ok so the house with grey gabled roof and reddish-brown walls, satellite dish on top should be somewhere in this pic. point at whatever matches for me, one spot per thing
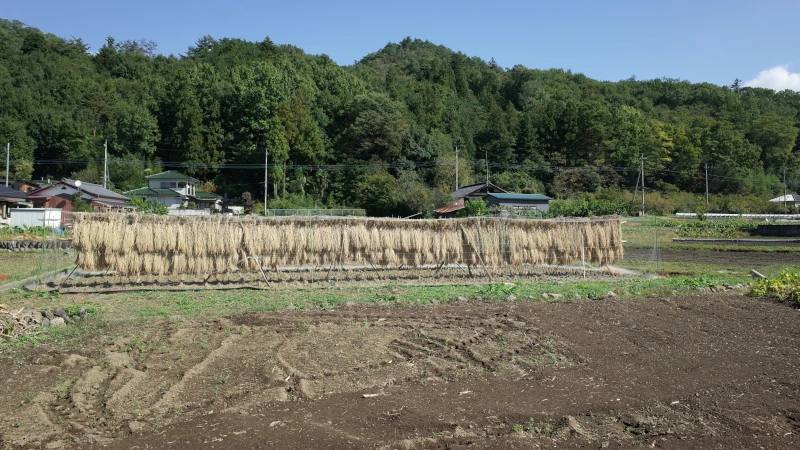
(60, 194)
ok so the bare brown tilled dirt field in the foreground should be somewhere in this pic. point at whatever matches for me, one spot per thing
(699, 371)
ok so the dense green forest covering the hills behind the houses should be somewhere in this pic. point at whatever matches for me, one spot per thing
(381, 133)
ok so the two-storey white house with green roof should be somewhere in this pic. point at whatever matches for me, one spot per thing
(175, 189)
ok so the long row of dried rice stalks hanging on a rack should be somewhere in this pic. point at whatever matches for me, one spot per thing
(204, 245)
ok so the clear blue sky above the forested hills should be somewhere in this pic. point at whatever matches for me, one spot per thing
(702, 40)
